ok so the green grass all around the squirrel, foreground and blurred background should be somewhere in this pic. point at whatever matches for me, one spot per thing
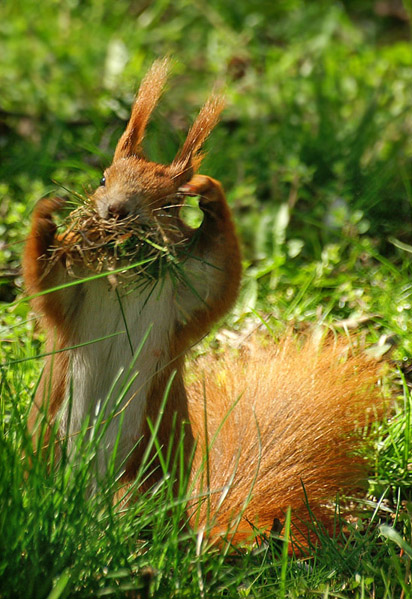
(314, 150)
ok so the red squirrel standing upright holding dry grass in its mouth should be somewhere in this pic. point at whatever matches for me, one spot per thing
(277, 416)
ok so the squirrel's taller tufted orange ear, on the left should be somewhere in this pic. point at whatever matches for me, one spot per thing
(149, 93)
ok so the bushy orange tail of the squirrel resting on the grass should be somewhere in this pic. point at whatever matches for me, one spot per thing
(281, 421)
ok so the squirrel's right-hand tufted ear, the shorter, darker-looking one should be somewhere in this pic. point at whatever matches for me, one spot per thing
(190, 154)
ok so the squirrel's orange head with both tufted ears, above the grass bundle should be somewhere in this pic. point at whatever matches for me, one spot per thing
(132, 185)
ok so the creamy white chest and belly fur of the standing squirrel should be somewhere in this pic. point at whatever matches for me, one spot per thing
(115, 373)
